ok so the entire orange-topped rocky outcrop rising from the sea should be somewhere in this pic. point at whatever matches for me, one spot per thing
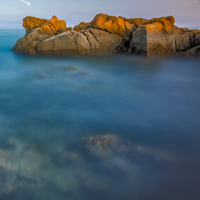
(106, 35)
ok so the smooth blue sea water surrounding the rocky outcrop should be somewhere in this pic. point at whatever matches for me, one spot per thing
(48, 104)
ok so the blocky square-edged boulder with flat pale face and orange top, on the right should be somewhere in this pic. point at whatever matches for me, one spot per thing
(154, 38)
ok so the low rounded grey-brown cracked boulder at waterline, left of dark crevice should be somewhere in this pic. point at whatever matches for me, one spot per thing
(91, 42)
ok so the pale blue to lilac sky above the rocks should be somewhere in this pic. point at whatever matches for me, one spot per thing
(12, 12)
